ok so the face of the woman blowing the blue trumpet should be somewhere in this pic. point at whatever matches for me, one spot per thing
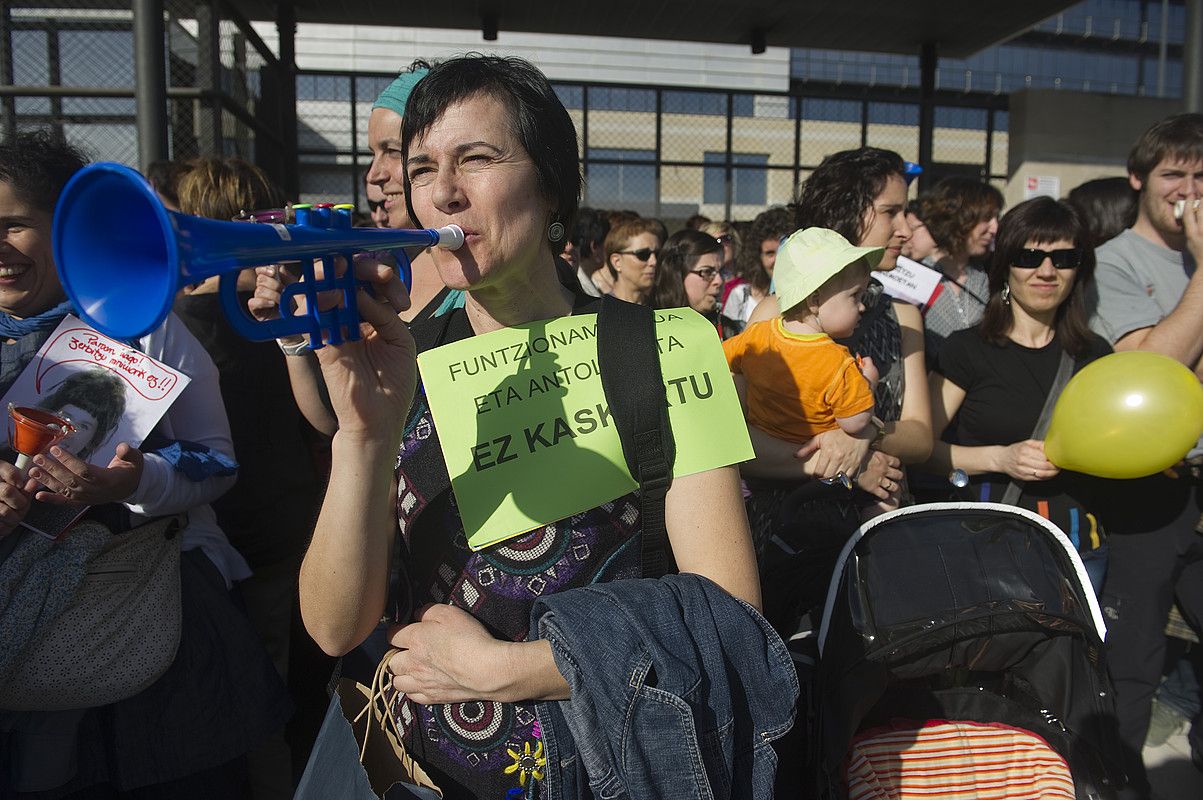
(470, 169)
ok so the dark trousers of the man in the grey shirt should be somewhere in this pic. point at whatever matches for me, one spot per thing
(1157, 556)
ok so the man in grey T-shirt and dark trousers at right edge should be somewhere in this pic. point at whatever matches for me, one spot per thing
(1151, 298)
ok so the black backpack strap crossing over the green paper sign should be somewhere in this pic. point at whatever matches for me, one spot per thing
(635, 388)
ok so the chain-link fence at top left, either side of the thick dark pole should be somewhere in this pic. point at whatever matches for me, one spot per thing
(72, 69)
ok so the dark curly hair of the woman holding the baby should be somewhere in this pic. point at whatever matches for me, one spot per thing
(843, 188)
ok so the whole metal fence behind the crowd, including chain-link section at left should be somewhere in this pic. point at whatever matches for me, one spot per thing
(661, 151)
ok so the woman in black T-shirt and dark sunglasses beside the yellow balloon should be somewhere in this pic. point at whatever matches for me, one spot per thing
(993, 381)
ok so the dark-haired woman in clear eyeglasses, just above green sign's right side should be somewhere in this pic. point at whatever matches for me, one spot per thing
(689, 275)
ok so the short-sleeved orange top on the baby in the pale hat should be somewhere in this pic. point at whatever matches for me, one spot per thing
(798, 384)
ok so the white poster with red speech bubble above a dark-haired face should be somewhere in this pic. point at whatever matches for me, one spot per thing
(108, 390)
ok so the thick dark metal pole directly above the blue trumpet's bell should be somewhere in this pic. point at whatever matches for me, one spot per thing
(150, 82)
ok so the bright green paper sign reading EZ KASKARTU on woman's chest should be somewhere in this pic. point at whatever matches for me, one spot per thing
(528, 434)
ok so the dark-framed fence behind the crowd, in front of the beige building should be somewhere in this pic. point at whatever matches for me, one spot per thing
(668, 152)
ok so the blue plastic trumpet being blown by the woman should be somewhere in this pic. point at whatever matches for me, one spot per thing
(122, 258)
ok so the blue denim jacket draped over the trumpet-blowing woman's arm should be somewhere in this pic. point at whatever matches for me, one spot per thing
(678, 690)
